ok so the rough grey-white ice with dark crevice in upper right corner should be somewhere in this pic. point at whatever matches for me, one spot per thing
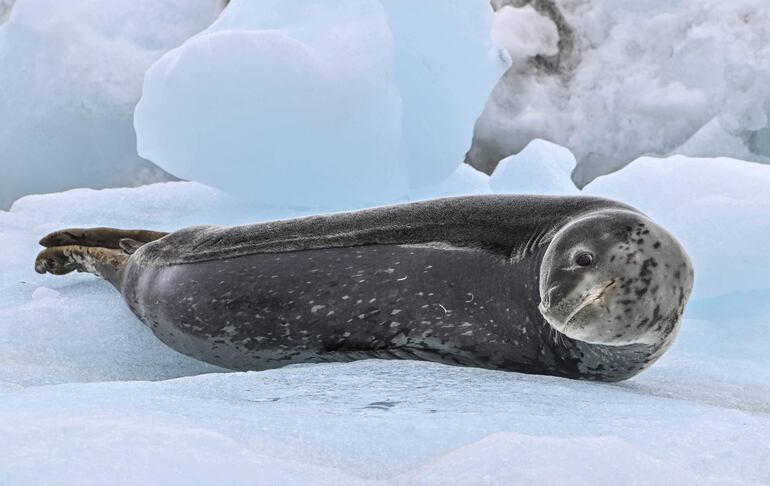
(631, 78)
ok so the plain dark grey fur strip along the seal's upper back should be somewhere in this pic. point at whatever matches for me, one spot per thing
(506, 226)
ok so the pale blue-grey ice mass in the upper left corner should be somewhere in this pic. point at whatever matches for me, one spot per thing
(72, 72)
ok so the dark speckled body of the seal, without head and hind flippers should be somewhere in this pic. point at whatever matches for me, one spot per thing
(454, 281)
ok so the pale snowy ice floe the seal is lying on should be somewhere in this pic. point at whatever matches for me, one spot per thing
(88, 395)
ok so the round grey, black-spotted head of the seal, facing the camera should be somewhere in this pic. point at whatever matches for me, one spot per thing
(616, 278)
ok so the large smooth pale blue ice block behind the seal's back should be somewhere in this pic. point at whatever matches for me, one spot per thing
(269, 98)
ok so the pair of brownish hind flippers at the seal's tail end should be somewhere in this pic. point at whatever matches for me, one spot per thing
(100, 251)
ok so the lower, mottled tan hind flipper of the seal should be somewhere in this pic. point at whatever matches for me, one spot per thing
(61, 260)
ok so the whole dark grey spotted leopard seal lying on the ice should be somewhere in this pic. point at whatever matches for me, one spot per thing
(575, 287)
